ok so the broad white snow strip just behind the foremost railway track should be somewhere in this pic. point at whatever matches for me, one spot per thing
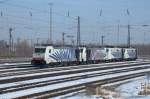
(66, 84)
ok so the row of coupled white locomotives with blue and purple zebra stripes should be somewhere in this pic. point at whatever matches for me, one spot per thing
(81, 55)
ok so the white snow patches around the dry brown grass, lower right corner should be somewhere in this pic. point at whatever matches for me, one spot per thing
(128, 89)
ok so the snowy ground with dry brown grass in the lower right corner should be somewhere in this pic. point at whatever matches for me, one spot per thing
(128, 89)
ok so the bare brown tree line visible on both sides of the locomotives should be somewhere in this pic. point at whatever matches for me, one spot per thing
(24, 48)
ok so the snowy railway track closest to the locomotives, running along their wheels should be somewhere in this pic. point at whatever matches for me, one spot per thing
(33, 70)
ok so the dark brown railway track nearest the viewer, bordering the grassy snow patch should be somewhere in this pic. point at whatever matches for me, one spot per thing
(71, 89)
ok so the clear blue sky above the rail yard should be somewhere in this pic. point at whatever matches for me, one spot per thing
(30, 19)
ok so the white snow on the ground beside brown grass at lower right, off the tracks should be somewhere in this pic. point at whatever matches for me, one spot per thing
(128, 90)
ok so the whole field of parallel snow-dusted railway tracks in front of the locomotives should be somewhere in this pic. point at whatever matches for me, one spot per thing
(27, 81)
